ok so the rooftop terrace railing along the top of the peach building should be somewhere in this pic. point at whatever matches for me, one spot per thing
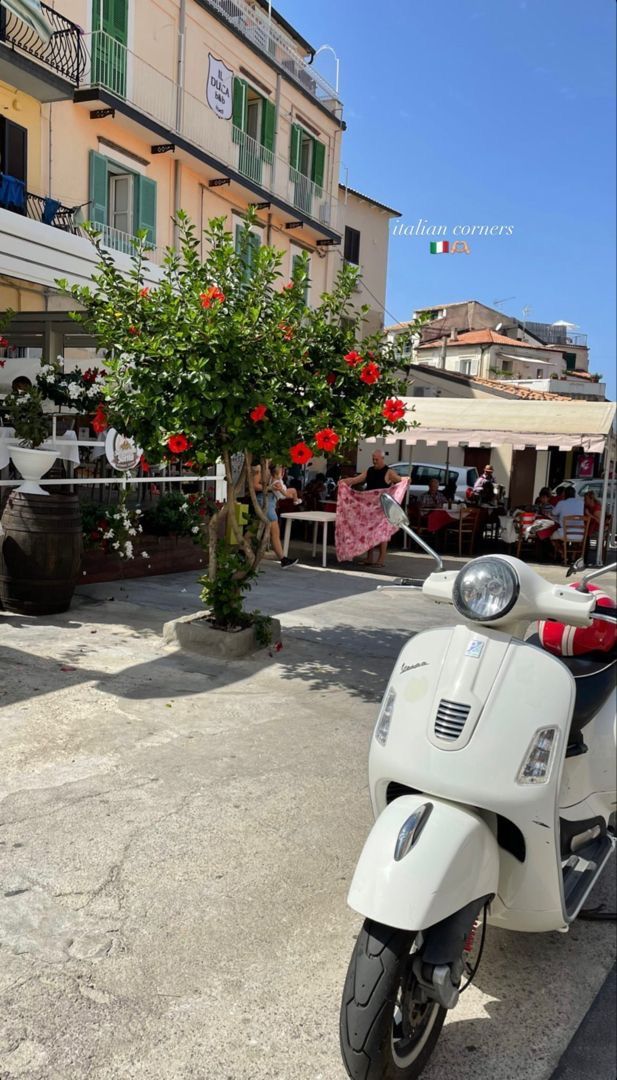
(265, 34)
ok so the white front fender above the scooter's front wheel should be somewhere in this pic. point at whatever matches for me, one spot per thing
(453, 861)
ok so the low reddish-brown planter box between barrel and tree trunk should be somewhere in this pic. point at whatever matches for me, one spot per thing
(166, 556)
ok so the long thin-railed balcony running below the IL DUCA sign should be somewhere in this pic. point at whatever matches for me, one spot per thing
(131, 79)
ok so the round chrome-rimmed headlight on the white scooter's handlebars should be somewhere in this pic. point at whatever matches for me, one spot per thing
(486, 590)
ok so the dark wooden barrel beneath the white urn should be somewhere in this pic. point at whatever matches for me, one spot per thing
(41, 552)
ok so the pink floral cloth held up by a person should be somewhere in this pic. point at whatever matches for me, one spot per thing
(361, 524)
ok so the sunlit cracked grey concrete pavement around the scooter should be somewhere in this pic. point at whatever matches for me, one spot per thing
(178, 838)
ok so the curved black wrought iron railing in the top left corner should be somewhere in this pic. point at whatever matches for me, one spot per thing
(64, 53)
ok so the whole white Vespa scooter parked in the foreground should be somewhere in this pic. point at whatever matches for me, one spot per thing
(492, 803)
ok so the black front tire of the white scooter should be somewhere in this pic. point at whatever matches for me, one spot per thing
(381, 1037)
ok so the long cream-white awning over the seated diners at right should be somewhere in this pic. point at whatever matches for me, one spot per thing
(468, 422)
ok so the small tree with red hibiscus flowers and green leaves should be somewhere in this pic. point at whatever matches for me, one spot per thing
(220, 362)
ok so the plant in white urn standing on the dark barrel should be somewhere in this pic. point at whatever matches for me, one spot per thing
(25, 412)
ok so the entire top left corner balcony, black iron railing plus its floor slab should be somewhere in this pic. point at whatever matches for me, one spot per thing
(46, 71)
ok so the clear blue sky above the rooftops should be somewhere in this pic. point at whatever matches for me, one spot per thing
(486, 113)
